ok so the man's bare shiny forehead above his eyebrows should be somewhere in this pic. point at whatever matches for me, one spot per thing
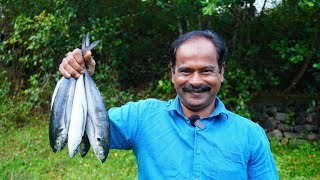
(196, 50)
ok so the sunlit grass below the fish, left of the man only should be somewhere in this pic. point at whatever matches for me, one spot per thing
(25, 153)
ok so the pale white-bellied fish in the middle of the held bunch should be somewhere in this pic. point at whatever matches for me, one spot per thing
(78, 118)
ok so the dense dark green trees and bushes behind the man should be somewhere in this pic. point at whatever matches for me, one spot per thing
(131, 58)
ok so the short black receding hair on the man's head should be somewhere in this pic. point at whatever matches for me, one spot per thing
(213, 37)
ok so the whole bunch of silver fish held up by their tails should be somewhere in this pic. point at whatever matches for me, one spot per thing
(78, 115)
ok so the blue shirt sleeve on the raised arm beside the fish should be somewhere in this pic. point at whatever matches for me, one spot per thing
(124, 122)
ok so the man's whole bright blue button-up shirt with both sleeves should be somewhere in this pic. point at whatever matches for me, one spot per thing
(166, 146)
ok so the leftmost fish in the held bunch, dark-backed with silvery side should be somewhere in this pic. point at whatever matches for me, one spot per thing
(59, 117)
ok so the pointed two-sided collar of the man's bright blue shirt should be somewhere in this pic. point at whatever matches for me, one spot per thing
(220, 108)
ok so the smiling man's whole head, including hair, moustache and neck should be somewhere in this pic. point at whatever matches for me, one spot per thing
(197, 66)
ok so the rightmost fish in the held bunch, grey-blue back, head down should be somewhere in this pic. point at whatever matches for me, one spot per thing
(97, 125)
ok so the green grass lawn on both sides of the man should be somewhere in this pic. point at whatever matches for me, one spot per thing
(25, 154)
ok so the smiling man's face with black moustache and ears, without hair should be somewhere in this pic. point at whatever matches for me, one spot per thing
(196, 76)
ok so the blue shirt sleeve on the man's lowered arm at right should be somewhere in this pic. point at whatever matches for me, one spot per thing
(261, 164)
